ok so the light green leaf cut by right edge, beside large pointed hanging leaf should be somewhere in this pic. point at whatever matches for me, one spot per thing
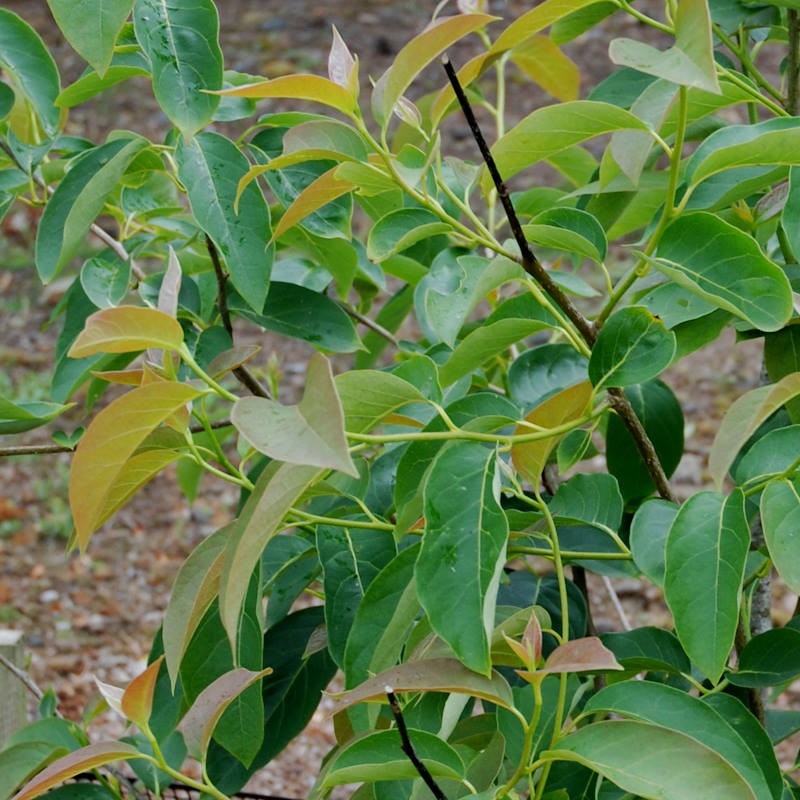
(780, 512)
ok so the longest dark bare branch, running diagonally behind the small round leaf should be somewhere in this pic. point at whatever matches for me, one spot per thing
(536, 270)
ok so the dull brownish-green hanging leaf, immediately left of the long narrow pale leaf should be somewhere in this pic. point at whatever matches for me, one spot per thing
(193, 591)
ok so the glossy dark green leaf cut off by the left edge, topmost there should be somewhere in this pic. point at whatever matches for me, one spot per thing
(27, 59)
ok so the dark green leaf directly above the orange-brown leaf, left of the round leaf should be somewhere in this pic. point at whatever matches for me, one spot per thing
(543, 371)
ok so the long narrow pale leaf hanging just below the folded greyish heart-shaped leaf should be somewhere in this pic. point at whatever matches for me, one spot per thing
(277, 489)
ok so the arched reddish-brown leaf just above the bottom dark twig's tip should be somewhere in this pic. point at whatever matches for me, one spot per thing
(431, 675)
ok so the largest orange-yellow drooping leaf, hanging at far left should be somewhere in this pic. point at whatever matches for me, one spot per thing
(109, 442)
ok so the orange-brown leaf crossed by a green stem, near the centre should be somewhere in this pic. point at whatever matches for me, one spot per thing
(559, 410)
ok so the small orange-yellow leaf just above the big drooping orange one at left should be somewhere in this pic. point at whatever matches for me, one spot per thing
(126, 329)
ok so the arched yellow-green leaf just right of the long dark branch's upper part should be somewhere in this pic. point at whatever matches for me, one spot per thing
(550, 130)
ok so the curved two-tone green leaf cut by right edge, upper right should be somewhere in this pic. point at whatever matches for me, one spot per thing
(774, 141)
